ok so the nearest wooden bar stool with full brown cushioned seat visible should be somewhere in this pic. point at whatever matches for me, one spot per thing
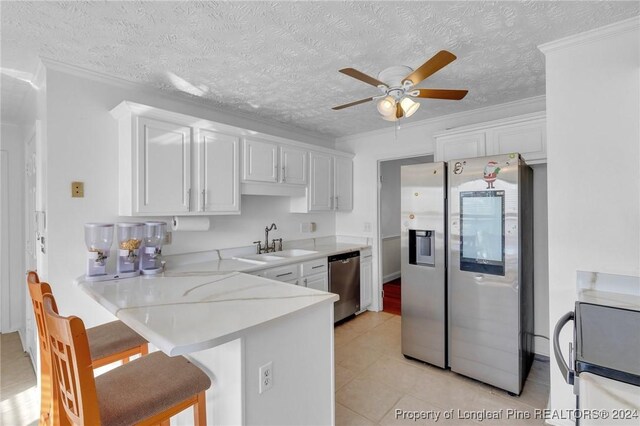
(146, 391)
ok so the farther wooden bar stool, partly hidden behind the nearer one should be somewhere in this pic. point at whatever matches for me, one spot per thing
(108, 343)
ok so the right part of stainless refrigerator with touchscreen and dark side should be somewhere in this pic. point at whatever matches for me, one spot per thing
(490, 273)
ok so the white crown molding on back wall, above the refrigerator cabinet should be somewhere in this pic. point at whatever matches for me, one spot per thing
(535, 101)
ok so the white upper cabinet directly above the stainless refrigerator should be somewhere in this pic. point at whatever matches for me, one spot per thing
(524, 134)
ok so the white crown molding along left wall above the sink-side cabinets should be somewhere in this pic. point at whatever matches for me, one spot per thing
(287, 130)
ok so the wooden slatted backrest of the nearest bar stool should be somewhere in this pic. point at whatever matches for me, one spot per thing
(74, 384)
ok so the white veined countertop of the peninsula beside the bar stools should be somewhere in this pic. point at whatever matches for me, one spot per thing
(187, 311)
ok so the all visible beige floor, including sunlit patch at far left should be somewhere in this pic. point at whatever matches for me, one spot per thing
(373, 380)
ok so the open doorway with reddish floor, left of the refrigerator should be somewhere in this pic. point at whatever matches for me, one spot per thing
(389, 229)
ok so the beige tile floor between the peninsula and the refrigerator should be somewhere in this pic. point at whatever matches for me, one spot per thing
(374, 379)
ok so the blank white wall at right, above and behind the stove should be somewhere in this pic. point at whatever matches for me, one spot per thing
(593, 120)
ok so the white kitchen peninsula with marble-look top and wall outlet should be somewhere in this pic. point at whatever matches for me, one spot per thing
(231, 325)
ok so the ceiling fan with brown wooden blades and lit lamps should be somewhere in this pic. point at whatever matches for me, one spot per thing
(397, 85)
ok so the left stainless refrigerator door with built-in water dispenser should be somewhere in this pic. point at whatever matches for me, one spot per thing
(423, 262)
